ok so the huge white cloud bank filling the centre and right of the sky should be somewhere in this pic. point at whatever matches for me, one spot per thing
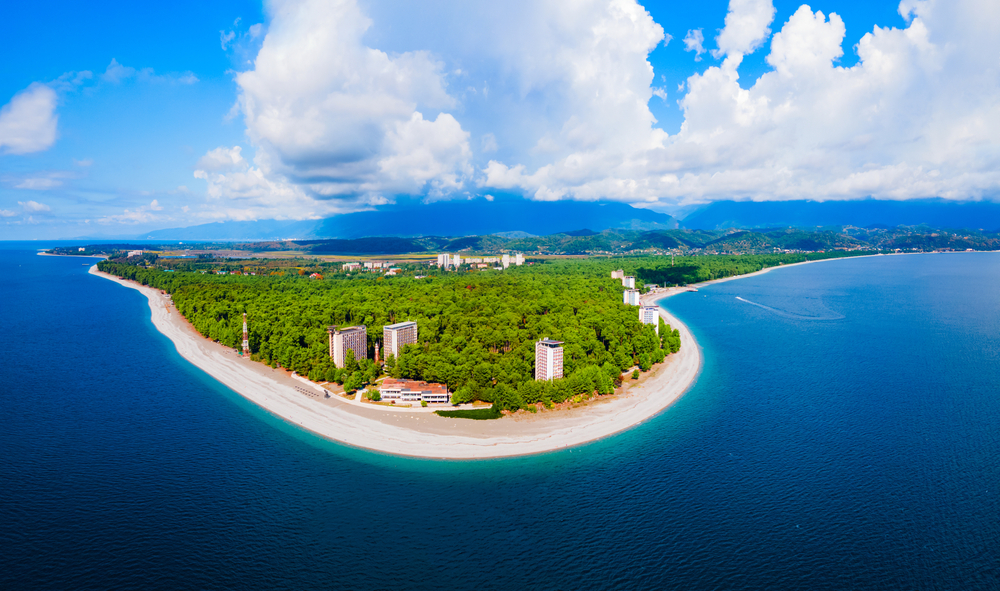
(551, 99)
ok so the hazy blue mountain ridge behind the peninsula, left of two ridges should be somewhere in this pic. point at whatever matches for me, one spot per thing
(443, 218)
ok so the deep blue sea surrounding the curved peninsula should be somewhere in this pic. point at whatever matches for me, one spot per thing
(844, 434)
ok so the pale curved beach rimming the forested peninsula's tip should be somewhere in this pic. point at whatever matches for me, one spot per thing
(423, 434)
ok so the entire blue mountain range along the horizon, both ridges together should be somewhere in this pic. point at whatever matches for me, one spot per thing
(518, 218)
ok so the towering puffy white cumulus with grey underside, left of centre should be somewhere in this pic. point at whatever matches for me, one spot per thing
(343, 120)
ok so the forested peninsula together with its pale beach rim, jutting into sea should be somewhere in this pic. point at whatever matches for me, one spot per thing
(625, 359)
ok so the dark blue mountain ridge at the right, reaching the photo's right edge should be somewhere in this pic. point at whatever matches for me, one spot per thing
(868, 213)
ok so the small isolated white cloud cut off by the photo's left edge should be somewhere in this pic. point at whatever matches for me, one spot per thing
(28, 122)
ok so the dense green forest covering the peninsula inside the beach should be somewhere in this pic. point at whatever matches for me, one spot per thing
(477, 330)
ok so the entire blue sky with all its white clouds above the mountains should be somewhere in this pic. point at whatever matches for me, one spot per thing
(116, 118)
